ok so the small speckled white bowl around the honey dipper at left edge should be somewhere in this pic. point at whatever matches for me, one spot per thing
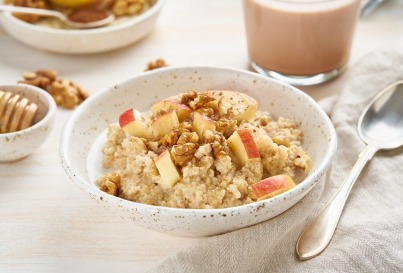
(17, 145)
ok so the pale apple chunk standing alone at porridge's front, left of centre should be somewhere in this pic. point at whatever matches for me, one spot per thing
(168, 172)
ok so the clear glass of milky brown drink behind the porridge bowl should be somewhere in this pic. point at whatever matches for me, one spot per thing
(301, 42)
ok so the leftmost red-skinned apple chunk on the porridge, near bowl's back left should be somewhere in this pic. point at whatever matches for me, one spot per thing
(135, 124)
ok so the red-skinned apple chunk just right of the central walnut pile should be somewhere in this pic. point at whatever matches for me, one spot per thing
(243, 145)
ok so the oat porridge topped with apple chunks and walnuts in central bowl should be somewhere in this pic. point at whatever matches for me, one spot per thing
(205, 150)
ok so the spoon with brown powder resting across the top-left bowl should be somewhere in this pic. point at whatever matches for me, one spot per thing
(59, 15)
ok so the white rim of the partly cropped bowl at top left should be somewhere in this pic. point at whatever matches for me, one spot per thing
(128, 23)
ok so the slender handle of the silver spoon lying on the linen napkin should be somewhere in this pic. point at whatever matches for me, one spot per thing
(317, 235)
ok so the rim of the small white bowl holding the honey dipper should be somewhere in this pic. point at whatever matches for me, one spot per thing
(48, 98)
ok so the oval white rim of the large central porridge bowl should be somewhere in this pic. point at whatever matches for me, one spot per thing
(91, 188)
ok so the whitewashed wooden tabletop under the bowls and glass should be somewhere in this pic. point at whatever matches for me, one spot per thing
(47, 224)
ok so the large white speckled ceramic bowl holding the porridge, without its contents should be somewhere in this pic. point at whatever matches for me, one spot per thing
(96, 113)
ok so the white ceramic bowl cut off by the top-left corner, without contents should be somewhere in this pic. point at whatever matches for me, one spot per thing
(82, 41)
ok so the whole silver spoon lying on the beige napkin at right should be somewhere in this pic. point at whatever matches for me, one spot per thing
(380, 127)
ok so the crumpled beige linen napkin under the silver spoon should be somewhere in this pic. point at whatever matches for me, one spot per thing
(369, 237)
